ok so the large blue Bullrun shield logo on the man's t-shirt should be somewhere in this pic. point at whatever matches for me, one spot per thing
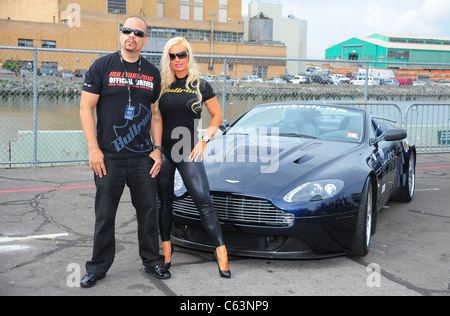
(127, 133)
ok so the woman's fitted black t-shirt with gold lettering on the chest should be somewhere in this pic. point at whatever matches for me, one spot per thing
(180, 122)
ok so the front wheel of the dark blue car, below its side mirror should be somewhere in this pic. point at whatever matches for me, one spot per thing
(364, 223)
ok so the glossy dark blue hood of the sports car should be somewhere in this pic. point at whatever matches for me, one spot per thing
(260, 167)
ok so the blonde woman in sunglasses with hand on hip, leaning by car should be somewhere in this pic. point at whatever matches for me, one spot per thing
(182, 94)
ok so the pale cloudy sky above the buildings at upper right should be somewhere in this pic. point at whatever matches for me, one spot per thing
(331, 22)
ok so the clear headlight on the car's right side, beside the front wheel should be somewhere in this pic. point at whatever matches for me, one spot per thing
(314, 191)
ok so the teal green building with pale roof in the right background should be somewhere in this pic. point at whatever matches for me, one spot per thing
(391, 48)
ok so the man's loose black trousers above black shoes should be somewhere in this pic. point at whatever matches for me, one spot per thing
(135, 173)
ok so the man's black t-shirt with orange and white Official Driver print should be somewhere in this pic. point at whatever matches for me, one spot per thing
(122, 133)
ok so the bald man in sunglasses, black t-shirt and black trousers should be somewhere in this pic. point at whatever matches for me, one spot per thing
(123, 88)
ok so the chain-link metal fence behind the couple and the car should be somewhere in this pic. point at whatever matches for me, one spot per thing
(39, 103)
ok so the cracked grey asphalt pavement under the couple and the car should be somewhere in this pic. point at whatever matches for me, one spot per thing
(47, 221)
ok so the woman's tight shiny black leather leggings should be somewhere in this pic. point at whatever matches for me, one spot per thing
(196, 182)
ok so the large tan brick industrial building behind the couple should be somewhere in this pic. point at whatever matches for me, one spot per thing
(95, 25)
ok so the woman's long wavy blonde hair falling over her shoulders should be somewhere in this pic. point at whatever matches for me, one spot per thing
(168, 75)
